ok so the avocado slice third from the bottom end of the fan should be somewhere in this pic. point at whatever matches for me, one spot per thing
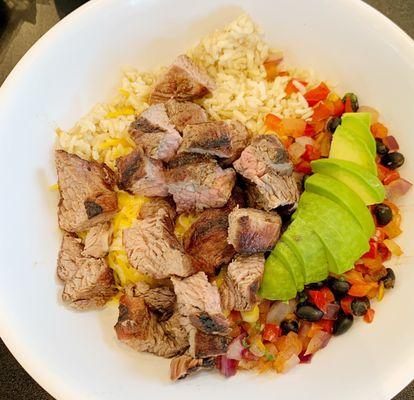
(308, 249)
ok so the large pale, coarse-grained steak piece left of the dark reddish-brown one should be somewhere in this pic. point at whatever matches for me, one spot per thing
(153, 249)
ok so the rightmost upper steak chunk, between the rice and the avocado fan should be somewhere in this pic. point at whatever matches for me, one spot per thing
(268, 172)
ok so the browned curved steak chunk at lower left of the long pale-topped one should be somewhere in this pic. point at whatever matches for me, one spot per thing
(141, 329)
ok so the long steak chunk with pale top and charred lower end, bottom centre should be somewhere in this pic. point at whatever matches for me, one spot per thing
(198, 302)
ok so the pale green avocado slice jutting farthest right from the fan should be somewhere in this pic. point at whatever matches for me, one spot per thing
(362, 182)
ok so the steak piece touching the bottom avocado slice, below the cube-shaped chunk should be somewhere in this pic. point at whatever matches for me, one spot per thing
(241, 283)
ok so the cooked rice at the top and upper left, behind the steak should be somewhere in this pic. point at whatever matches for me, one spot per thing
(234, 56)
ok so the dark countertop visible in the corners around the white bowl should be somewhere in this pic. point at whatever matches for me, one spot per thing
(22, 22)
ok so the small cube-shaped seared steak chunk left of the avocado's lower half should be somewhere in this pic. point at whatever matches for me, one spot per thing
(253, 231)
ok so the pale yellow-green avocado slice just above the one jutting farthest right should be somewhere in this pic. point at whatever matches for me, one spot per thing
(346, 146)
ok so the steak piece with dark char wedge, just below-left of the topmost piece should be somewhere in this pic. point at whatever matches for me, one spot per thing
(154, 132)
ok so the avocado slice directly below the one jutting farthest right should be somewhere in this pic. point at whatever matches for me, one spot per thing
(341, 194)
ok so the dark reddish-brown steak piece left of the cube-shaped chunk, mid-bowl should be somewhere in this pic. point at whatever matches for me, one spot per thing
(206, 241)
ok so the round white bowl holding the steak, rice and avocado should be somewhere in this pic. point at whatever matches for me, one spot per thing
(78, 63)
